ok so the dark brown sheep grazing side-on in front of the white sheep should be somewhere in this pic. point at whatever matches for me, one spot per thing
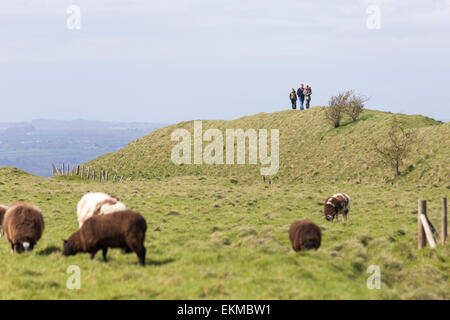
(123, 230)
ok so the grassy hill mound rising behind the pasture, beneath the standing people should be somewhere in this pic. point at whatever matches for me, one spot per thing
(310, 151)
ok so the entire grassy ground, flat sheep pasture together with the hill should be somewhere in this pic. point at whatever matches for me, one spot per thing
(210, 238)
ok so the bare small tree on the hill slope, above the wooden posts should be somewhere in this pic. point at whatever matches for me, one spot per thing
(395, 147)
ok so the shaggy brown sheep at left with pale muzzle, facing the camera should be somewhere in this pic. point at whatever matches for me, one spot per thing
(24, 225)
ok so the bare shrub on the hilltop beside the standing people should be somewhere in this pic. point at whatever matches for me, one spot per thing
(344, 103)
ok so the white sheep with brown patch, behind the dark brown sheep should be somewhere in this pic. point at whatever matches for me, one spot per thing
(97, 203)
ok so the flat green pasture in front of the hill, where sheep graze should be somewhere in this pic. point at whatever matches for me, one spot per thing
(209, 238)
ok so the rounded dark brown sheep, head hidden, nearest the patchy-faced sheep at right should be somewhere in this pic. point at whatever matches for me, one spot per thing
(305, 235)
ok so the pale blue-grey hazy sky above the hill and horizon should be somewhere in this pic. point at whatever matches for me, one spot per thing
(171, 61)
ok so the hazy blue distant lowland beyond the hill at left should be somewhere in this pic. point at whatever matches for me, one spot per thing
(34, 146)
